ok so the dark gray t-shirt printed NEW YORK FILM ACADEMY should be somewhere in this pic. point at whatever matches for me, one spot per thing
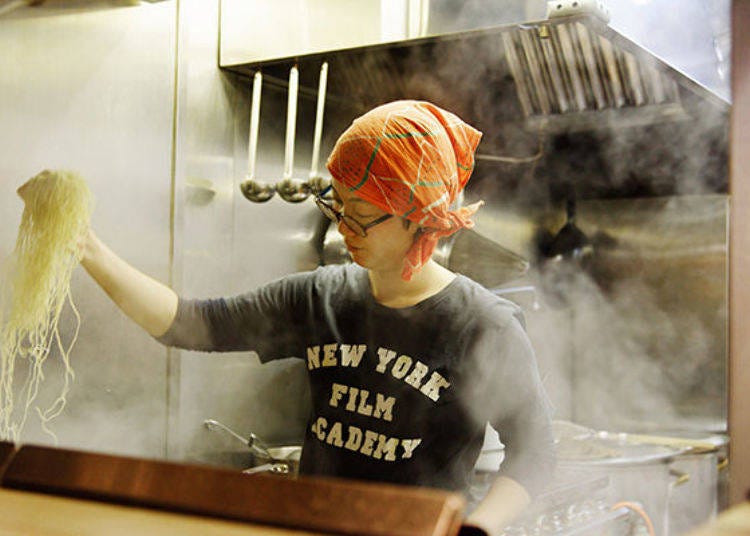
(398, 395)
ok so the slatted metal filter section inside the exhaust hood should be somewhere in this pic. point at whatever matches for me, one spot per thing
(578, 66)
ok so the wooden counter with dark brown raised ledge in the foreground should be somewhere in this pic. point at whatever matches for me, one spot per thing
(95, 483)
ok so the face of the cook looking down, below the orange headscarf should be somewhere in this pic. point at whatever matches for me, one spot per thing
(386, 244)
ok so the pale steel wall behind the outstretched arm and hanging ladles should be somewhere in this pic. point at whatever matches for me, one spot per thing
(132, 98)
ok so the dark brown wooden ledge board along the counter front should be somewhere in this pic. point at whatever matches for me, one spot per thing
(317, 504)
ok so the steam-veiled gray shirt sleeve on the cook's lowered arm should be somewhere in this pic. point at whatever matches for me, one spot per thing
(511, 396)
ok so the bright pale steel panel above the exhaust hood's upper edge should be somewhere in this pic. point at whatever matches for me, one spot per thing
(257, 30)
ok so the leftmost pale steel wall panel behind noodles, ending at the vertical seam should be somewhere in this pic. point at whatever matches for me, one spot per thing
(92, 90)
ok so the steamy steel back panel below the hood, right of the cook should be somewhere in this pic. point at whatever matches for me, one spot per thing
(637, 341)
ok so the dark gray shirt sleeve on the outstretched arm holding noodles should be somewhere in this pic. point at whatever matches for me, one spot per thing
(266, 320)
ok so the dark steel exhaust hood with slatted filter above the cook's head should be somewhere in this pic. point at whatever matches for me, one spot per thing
(568, 106)
